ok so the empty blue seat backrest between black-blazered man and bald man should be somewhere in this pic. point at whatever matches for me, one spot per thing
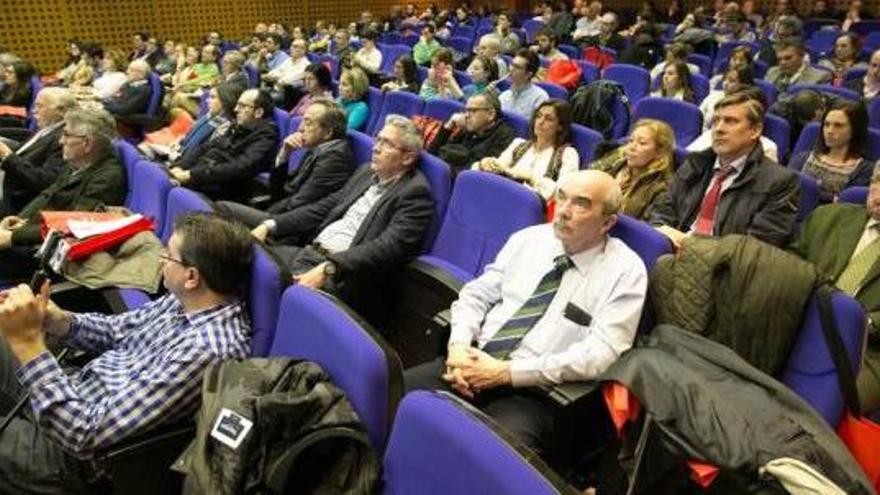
(484, 211)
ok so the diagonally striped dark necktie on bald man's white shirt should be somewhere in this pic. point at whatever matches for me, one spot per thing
(511, 333)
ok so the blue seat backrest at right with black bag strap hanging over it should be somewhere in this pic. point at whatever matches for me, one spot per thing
(810, 370)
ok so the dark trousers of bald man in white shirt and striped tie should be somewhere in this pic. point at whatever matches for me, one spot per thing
(522, 412)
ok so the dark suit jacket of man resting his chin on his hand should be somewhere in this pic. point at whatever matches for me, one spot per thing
(322, 171)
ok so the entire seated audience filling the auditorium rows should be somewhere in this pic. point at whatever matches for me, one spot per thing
(559, 303)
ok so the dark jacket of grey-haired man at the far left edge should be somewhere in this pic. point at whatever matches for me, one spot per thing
(31, 171)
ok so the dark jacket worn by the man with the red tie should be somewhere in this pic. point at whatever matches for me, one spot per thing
(761, 202)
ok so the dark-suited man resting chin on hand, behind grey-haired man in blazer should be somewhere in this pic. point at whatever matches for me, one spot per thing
(326, 166)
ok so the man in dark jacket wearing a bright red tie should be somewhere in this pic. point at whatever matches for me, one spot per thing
(731, 188)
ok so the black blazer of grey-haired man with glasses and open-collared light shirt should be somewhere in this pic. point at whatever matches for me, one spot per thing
(391, 234)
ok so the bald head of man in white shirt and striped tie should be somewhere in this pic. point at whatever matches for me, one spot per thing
(587, 203)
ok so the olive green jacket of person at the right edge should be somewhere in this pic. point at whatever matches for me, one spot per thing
(828, 238)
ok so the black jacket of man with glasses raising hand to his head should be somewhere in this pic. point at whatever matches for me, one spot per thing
(463, 149)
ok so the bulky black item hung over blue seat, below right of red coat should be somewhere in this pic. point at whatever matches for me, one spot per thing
(593, 106)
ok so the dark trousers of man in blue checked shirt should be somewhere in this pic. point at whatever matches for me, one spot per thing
(30, 462)
